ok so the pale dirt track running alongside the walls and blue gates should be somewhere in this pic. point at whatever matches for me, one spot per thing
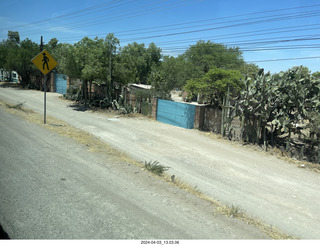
(264, 187)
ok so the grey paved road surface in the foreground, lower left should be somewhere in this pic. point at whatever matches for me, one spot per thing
(54, 188)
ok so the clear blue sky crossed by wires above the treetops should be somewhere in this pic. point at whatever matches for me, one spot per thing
(287, 31)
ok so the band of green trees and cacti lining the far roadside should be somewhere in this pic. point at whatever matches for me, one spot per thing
(275, 110)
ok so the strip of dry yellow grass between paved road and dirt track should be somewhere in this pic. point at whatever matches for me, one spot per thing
(94, 144)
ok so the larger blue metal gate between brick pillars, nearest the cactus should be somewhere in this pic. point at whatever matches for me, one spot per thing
(175, 113)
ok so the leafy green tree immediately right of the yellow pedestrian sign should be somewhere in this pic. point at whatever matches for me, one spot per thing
(90, 60)
